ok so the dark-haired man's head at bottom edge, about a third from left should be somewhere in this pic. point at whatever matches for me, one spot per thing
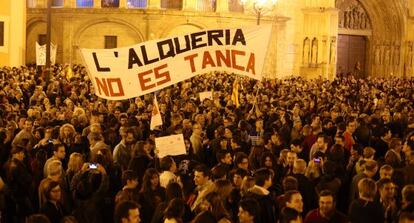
(127, 212)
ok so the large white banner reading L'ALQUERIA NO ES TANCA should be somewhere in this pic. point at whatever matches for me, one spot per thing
(133, 71)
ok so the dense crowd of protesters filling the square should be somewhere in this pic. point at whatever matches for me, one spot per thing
(292, 150)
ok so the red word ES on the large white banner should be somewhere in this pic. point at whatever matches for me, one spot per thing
(162, 77)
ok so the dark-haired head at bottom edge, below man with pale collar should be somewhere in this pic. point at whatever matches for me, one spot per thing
(248, 211)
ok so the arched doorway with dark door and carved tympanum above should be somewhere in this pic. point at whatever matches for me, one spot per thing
(354, 30)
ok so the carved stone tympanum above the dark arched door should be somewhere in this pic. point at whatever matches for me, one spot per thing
(352, 15)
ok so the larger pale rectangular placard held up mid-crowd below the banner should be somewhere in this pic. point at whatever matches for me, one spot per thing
(170, 145)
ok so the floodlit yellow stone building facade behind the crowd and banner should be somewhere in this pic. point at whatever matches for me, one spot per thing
(306, 34)
